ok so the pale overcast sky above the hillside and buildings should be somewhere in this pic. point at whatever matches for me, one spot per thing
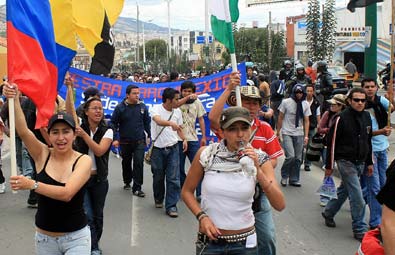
(189, 14)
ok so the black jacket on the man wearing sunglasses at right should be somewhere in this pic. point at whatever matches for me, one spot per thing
(351, 137)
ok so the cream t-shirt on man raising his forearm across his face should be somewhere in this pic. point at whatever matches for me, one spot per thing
(189, 114)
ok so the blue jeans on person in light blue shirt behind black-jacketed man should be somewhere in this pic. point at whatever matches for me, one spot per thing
(374, 184)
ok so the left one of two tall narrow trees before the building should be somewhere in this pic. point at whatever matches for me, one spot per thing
(313, 31)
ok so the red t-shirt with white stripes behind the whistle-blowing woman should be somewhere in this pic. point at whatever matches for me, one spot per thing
(265, 139)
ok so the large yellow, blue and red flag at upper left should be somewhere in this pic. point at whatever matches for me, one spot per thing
(41, 38)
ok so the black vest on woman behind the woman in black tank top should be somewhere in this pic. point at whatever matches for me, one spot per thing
(81, 146)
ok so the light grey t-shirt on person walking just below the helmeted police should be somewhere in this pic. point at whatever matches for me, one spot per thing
(288, 107)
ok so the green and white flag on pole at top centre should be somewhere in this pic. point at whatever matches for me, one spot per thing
(223, 13)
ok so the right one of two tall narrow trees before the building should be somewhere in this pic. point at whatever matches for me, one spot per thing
(328, 30)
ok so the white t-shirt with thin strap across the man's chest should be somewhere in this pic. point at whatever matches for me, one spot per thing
(168, 137)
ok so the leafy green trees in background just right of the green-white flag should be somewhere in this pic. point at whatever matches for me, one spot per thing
(252, 45)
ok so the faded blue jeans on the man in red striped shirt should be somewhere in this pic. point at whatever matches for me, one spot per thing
(265, 229)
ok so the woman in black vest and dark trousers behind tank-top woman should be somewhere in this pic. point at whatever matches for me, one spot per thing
(94, 139)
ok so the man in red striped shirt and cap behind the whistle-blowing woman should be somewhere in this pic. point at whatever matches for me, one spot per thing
(264, 139)
